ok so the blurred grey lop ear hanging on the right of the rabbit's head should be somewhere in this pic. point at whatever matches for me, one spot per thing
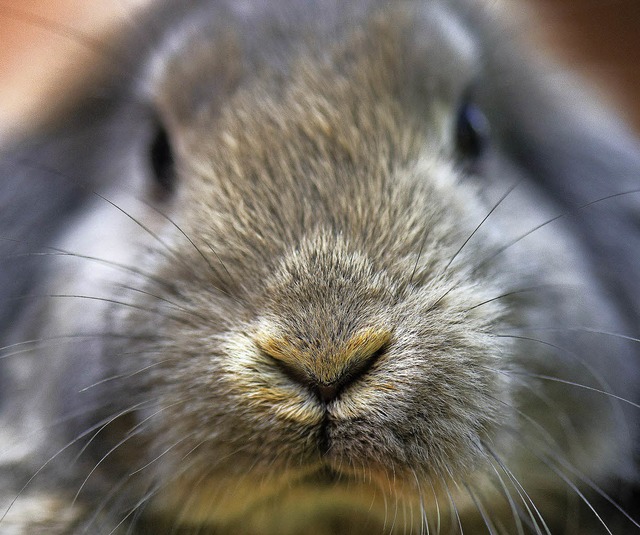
(582, 155)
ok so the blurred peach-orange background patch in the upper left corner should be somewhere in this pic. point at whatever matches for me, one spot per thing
(42, 46)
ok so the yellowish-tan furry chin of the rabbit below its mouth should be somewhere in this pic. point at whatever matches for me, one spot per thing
(300, 499)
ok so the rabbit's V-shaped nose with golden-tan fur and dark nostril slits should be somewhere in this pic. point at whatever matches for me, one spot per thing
(325, 367)
